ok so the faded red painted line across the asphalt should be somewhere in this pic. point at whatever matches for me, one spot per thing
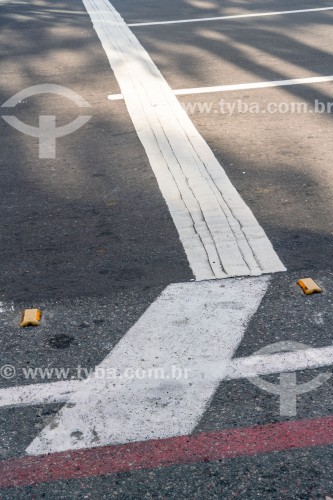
(203, 447)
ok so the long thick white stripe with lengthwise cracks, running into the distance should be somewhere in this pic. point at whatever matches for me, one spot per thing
(220, 235)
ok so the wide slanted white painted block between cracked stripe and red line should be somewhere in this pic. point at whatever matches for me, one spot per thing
(197, 324)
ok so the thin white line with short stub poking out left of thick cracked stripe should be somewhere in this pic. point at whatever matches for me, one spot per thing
(242, 86)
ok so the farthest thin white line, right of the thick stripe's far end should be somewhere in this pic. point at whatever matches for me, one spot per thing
(226, 18)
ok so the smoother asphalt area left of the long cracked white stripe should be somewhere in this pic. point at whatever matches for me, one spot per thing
(90, 222)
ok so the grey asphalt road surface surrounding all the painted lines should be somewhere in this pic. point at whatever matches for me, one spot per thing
(88, 238)
